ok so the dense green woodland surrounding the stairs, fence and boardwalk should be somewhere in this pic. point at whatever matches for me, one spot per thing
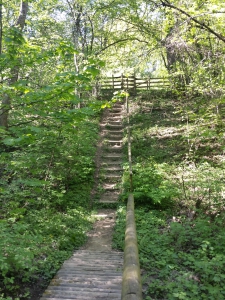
(52, 54)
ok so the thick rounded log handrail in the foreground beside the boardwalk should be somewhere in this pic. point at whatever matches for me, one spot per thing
(131, 284)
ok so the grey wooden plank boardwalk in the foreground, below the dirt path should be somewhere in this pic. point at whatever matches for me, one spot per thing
(88, 275)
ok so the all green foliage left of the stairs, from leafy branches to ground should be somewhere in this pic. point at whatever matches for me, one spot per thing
(46, 161)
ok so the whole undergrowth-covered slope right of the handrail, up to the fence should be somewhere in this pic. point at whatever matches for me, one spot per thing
(178, 180)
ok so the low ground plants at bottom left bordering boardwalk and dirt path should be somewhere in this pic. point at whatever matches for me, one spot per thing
(39, 244)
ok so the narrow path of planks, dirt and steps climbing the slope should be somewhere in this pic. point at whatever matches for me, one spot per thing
(95, 271)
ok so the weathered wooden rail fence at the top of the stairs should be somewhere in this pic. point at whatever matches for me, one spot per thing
(132, 83)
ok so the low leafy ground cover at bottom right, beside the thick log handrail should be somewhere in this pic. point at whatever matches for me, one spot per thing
(182, 258)
